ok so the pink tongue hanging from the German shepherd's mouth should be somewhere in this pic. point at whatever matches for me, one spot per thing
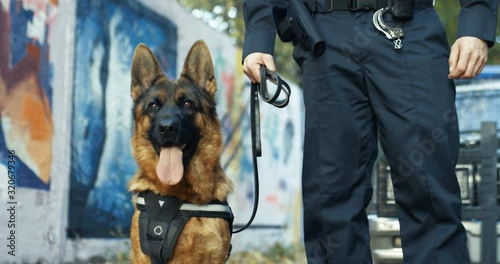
(170, 168)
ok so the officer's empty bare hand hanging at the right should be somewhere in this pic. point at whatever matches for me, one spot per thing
(468, 57)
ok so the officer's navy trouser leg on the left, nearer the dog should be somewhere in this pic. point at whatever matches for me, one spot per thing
(339, 150)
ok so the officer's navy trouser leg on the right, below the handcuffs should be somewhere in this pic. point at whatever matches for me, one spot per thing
(414, 104)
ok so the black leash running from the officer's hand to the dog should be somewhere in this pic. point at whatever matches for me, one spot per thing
(263, 90)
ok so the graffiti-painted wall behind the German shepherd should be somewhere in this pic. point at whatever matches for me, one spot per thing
(66, 122)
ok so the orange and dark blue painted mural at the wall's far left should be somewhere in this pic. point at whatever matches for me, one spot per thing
(25, 89)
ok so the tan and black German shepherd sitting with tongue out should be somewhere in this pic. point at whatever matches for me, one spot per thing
(177, 143)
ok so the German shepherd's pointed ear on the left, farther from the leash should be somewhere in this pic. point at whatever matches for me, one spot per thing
(145, 70)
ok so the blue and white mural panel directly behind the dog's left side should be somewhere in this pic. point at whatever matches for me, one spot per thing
(106, 35)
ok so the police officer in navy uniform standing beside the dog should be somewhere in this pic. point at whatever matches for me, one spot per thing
(363, 88)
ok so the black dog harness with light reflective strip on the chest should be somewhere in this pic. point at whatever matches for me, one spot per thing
(161, 220)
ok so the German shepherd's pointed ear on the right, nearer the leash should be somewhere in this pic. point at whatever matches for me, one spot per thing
(199, 68)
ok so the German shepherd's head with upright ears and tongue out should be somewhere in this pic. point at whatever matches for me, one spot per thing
(173, 118)
